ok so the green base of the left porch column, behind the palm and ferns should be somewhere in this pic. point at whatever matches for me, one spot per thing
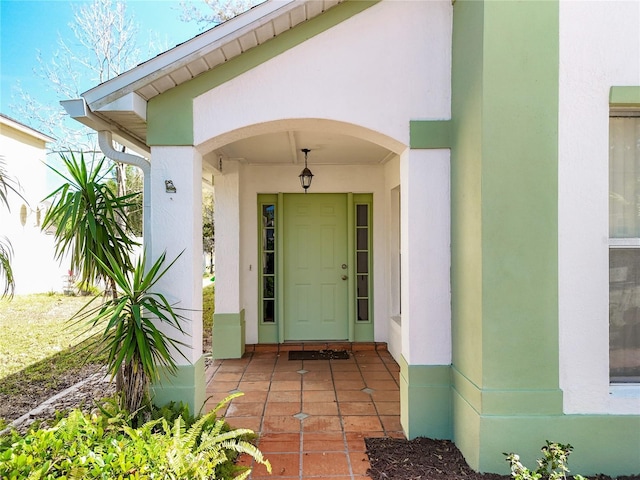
(187, 386)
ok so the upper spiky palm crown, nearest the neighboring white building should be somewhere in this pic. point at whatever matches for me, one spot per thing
(89, 221)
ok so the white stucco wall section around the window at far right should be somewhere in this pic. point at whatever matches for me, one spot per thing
(599, 48)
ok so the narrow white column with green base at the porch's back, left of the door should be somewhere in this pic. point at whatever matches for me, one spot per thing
(228, 325)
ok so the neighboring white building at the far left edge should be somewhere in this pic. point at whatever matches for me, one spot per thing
(33, 264)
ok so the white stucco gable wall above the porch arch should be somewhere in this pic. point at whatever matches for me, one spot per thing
(344, 74)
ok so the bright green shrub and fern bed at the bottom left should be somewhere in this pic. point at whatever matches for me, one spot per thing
(104, 445)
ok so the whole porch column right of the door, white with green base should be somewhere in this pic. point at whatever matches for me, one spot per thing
(426, 293)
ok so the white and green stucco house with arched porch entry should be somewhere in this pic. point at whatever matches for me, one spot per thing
(460, 209)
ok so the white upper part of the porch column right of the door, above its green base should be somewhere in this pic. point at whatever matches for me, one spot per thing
(426, 257)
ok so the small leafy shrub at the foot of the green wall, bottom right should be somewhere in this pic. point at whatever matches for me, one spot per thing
(552, 465)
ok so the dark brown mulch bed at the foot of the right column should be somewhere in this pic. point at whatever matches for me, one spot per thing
(428, 459)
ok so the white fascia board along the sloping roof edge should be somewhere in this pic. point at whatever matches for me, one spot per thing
(184, 53)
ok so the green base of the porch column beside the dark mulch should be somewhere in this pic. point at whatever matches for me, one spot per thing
(425, 400)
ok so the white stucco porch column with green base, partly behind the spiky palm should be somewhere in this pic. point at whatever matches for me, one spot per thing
(176, 226)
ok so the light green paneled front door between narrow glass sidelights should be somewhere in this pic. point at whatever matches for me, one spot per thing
(315, 267)
